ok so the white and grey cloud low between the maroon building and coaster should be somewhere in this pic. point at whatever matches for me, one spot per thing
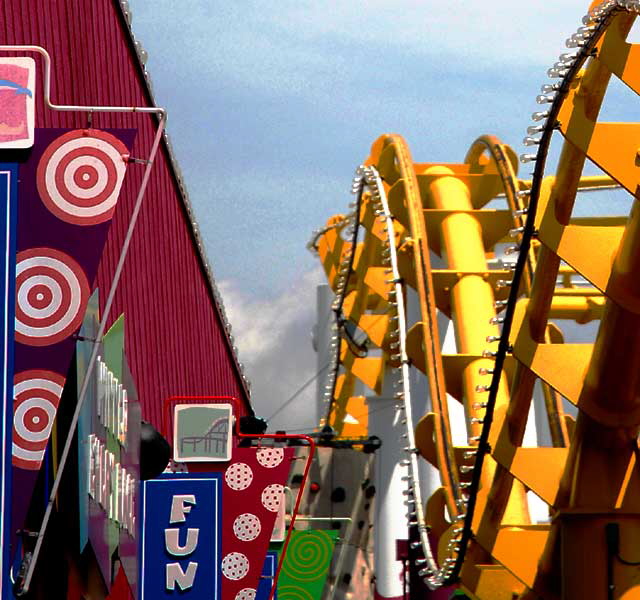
(274, 342)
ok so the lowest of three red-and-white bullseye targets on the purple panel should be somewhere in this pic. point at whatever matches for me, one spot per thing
(36, 395)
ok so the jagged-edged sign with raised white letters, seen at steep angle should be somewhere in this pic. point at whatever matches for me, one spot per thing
(108, 450)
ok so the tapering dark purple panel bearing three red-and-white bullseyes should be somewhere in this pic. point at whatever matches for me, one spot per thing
(69, 183)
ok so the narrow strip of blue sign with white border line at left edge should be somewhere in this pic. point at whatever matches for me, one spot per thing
(8, 199)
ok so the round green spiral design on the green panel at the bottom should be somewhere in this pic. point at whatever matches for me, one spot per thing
(308, 555)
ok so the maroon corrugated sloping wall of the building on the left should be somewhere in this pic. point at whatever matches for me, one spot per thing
(176, 344)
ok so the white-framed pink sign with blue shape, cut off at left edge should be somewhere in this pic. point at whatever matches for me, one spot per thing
(17, 102)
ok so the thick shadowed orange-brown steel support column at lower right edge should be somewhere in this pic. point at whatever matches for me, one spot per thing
(601, 482)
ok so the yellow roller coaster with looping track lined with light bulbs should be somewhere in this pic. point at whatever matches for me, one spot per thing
(503, 262)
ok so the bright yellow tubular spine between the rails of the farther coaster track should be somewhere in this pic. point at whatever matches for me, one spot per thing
(472, 307)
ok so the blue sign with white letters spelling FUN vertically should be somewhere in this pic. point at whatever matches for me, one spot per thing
(180, 541)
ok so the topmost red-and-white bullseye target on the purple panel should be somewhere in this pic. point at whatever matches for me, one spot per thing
(80, 175)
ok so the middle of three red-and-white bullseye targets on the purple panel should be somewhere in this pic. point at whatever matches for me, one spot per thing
(52, 292)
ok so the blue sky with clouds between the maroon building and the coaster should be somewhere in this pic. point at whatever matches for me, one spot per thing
(272, 106)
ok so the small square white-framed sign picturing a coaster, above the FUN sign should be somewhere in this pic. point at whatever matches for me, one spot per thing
(202, 432)
